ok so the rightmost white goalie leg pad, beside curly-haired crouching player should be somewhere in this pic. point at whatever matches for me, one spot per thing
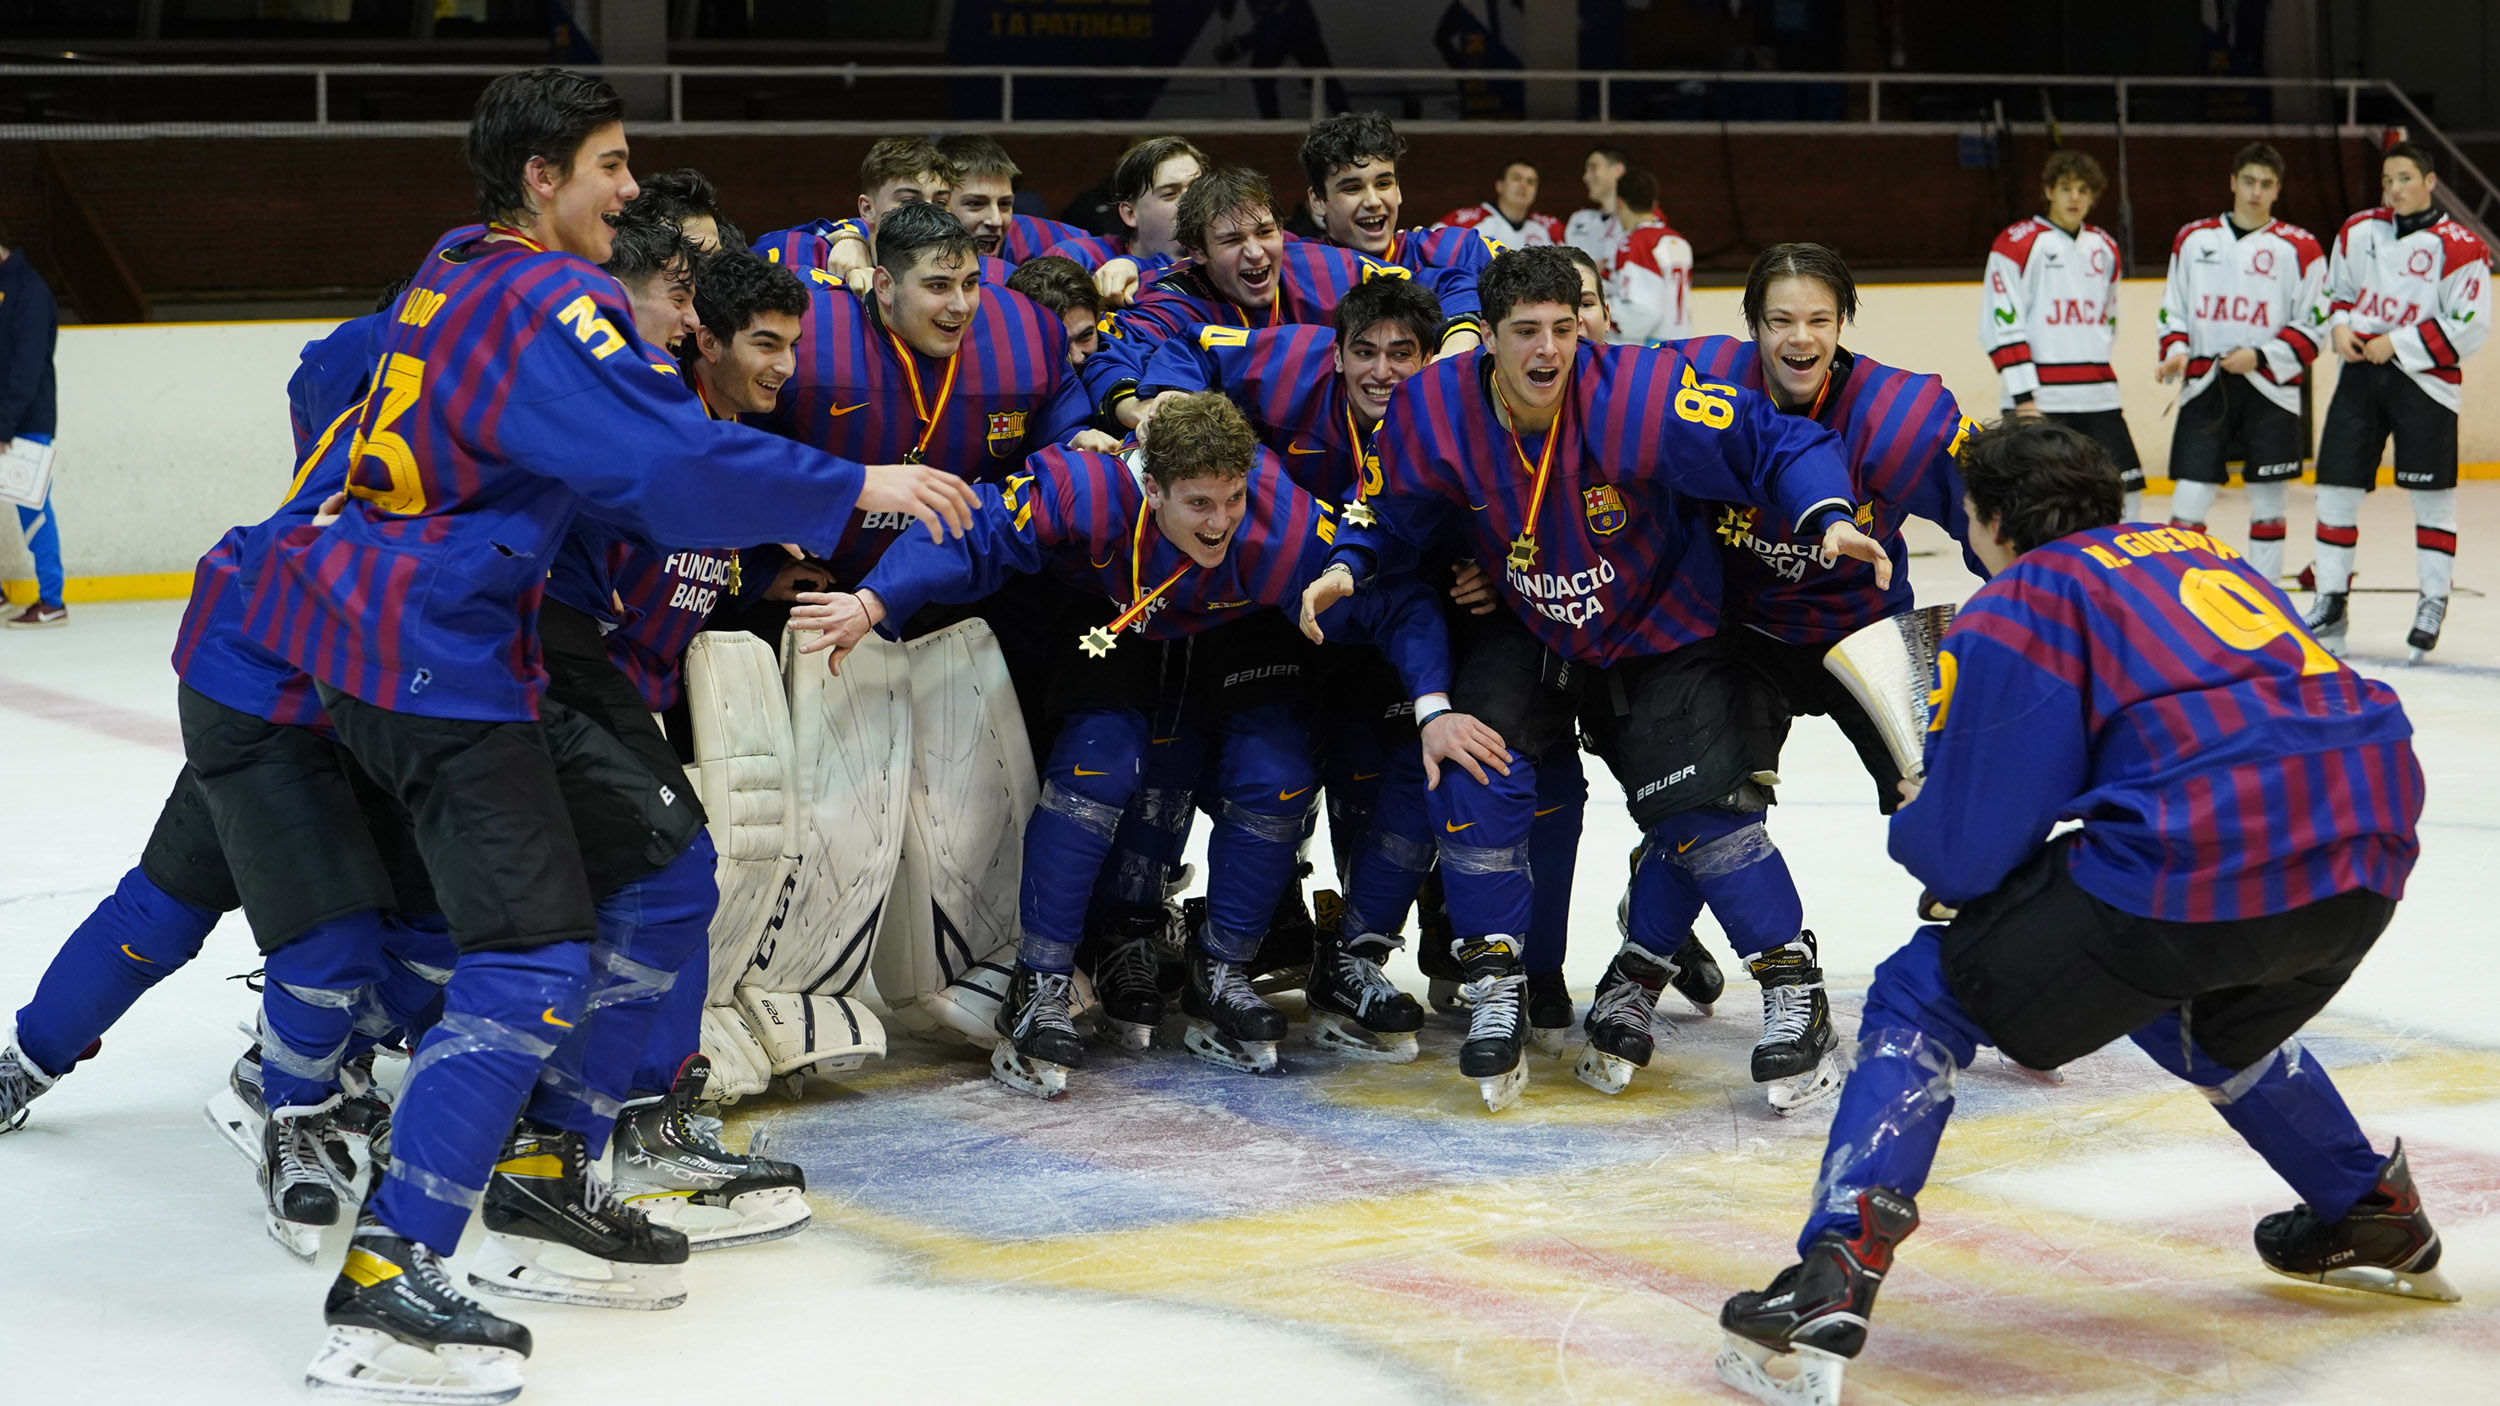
(969, 794)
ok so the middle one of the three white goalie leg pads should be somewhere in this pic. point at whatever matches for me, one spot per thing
(851, 757)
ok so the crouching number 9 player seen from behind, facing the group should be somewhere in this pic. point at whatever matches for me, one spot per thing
(2161, 692)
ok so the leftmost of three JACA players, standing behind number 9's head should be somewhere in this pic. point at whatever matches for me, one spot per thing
(2049, 316)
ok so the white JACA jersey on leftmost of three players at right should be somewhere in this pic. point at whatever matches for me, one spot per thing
(2051, 314)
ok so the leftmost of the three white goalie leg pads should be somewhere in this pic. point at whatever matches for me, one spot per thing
(741, 722)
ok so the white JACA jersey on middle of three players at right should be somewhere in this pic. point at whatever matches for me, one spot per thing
(2229, 291)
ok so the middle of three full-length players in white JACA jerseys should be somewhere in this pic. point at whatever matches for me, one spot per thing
(2241, 324)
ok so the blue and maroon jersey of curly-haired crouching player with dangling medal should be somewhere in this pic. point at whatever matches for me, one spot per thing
(1084, 519)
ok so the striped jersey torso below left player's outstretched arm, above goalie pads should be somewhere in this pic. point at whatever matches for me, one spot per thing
(651, 599)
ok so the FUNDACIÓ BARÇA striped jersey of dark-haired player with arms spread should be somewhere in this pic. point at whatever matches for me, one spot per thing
(1624, 554)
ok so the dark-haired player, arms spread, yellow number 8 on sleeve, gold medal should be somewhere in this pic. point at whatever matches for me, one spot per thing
(1581, 472)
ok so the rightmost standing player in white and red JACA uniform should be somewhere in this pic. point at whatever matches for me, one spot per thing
(2409, 301)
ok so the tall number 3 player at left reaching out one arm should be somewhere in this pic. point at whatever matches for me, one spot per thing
(514, 394)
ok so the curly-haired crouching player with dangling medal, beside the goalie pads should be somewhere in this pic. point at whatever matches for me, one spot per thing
(1189, 552)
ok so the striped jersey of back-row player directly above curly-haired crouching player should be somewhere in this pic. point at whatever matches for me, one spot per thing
(1311, 281)
